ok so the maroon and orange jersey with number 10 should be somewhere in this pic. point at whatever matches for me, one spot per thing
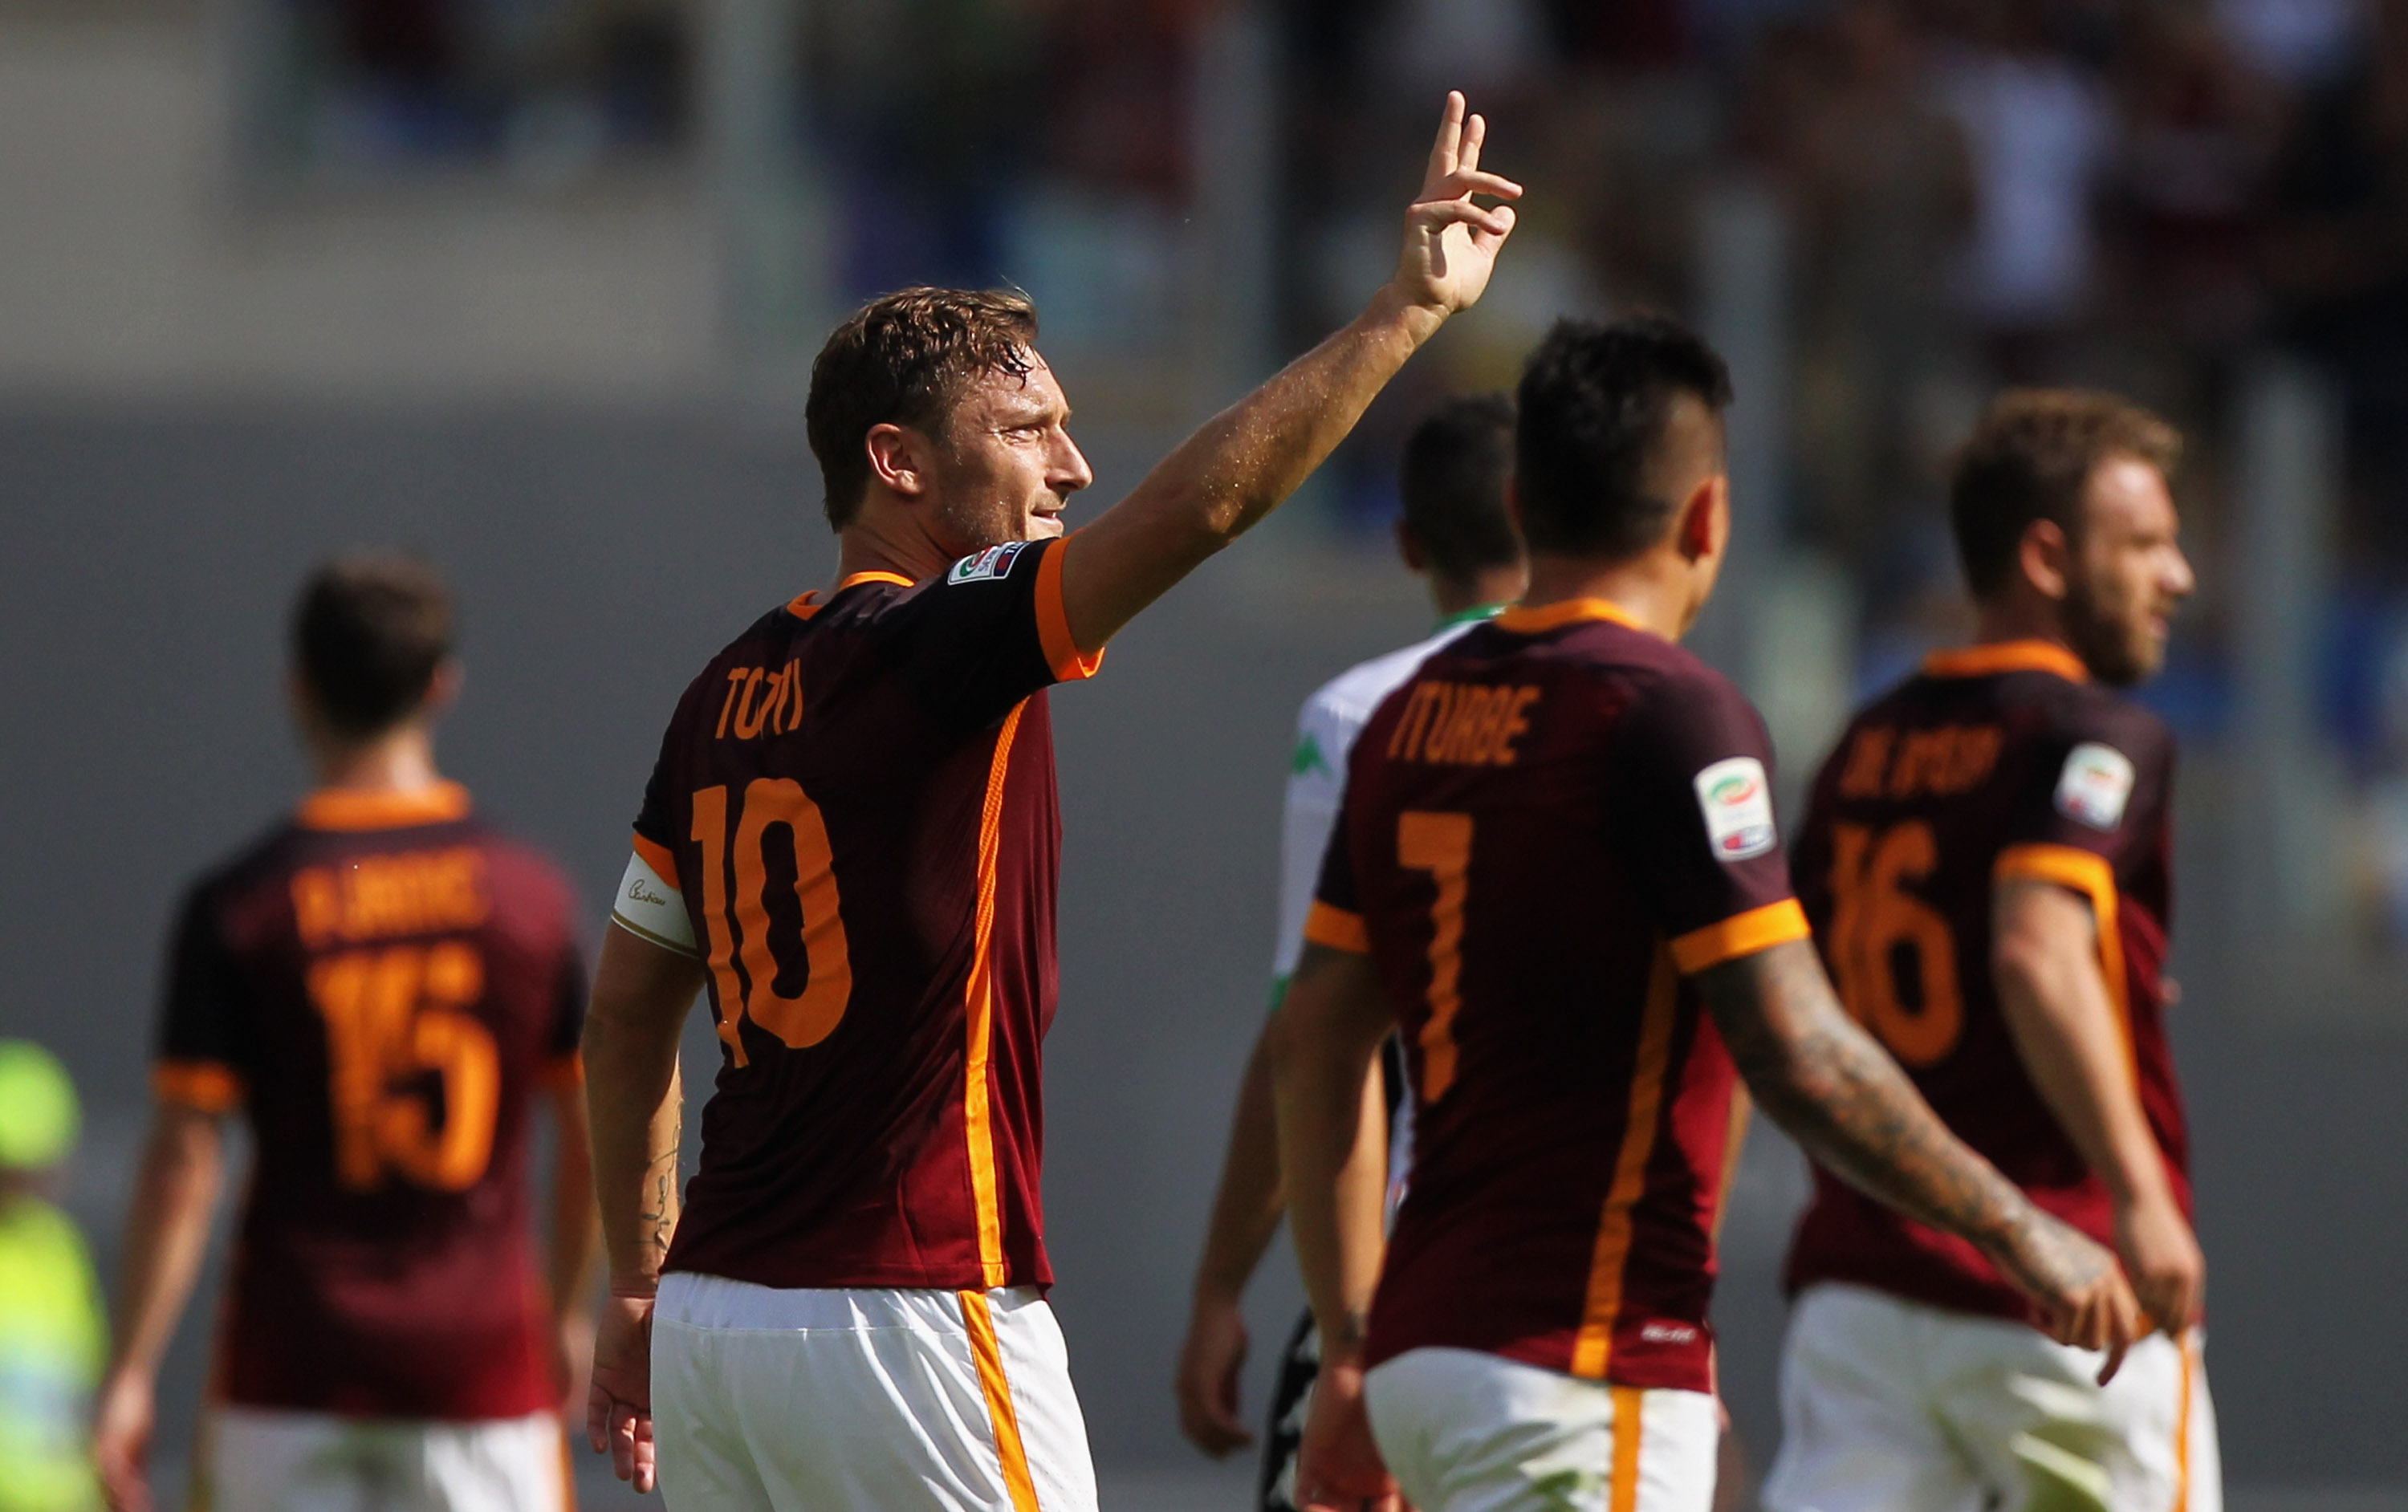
(856, 803)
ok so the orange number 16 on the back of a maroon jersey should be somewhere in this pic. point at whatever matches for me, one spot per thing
(1884, 935)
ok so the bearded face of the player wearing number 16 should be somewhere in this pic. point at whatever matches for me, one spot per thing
(2127, 574)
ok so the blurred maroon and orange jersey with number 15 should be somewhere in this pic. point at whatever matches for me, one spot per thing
(382, 986)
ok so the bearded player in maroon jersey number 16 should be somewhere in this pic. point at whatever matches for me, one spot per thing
(1988, 866)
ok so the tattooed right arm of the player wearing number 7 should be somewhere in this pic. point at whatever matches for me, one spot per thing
(1848, 1104)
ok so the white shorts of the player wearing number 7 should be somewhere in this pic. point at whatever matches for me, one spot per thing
(1468, 1431)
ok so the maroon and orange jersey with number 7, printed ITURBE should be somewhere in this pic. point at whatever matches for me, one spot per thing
(1547, 832)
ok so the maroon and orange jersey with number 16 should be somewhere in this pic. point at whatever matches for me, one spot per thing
(1993, 764)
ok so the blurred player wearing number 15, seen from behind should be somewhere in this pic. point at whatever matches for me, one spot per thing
(389, 991)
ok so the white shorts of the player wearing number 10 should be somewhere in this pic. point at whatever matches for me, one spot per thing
(875, 1400)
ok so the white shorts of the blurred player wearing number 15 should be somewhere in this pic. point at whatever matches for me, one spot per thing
(317, 1463)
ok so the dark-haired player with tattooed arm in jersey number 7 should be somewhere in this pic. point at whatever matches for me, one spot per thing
(1557, 875)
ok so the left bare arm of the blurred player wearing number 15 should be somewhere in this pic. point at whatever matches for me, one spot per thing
(165, 1241)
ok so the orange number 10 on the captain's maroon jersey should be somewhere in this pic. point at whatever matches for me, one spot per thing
(815, 1012)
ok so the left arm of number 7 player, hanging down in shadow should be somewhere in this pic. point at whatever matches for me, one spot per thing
(1335, 1171)
